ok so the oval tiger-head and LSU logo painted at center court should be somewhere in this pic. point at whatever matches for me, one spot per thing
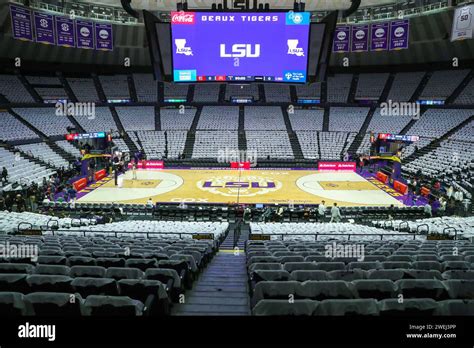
(246, 186)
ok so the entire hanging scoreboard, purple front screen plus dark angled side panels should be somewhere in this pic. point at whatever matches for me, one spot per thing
(239, 47)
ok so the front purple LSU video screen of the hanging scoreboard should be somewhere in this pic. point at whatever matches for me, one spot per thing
(234, 47)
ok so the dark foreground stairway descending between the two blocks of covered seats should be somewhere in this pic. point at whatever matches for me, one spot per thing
(222, 288)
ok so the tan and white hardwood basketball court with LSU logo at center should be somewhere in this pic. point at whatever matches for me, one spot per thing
(234, 186)
